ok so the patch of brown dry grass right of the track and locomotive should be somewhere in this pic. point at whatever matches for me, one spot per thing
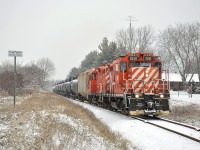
(189, 114)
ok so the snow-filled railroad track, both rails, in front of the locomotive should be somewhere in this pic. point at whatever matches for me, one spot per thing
(181, 129)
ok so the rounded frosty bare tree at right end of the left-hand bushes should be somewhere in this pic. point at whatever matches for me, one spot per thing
(47, 70)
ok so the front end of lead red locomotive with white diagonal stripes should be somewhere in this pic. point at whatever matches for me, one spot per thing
(146, 93)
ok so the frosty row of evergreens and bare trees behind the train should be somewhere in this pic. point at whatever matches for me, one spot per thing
(178, 45)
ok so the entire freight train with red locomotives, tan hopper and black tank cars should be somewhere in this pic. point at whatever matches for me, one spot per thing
(132, 84)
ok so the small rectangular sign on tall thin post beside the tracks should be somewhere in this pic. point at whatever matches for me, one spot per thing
(14, 54)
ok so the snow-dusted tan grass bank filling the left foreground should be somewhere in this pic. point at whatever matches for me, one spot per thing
(48, 121)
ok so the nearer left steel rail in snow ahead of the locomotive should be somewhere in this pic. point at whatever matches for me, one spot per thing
(179, 133)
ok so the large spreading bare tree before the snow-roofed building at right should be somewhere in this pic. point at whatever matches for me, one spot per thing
(176, 43)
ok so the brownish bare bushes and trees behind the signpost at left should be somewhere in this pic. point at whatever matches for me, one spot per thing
(28, 77)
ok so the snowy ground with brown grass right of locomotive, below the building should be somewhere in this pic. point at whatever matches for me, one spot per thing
(185, 109)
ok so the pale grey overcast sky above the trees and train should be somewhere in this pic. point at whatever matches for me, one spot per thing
(67, 30)
